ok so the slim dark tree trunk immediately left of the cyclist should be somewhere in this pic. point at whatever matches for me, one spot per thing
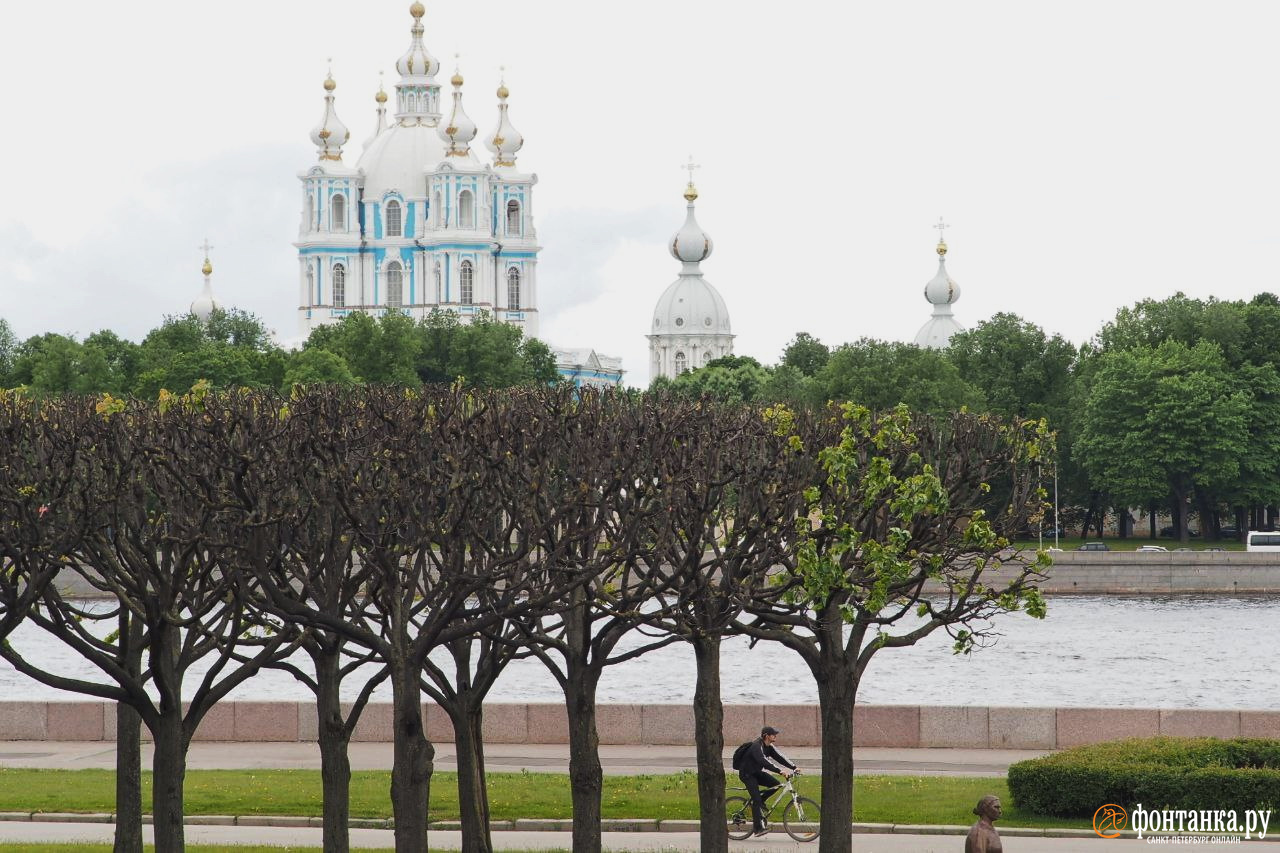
(710, 736)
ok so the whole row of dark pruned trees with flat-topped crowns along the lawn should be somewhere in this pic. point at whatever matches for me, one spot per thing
(429, 539)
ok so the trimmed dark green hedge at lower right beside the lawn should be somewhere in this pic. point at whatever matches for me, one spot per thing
(1159, 773)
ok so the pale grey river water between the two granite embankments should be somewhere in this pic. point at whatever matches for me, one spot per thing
(1191, 653)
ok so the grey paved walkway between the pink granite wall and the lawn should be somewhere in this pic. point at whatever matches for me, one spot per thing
(508, 758)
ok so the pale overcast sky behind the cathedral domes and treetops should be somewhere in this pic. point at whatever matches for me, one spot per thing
(1086, 156)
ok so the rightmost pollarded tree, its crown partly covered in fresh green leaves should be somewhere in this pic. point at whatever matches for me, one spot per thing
(904, 535)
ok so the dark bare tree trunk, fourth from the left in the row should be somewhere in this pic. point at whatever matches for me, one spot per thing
(412, 764)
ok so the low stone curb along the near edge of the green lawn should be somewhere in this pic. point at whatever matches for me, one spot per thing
(556, 825)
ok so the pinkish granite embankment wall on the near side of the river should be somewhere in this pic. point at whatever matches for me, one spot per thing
(904, 727)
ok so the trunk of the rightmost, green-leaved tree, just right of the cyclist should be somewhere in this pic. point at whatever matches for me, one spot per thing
(836, 695)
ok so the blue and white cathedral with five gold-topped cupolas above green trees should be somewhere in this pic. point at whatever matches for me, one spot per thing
(420, 222)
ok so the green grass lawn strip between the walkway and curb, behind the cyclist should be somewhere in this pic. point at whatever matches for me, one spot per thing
(879, 800)
